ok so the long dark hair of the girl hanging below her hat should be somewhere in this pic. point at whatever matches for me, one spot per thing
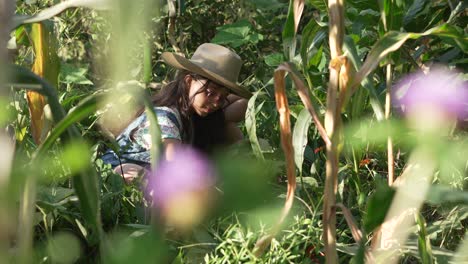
(204, 133)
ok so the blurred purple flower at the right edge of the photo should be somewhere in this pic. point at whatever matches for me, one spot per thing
(441, 92)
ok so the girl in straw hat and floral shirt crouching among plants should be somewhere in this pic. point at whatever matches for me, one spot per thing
(200, 107)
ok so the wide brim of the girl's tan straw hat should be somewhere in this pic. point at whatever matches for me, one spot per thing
(182, 63)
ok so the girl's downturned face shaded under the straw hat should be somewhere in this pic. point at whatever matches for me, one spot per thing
(207, 96)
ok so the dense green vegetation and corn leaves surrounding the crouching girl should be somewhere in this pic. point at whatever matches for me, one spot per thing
(66, 62)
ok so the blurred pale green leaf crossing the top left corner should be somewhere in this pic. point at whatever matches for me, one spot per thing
(59, 8)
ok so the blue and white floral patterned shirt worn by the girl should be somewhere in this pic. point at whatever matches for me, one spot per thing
(135, 141)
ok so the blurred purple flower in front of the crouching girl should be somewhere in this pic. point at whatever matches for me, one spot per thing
(181, 188)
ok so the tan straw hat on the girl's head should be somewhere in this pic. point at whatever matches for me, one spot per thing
(214, 62)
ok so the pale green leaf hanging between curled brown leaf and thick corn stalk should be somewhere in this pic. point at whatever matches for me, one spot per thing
(300, 134)
